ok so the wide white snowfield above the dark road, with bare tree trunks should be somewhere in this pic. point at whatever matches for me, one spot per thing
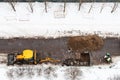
(56, 23)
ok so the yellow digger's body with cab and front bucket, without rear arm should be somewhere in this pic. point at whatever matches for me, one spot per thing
(26, 57)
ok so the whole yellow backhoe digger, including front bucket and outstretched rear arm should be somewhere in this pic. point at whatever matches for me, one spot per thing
(28, 57)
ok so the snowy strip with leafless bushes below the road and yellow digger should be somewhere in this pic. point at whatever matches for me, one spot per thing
(57, 72)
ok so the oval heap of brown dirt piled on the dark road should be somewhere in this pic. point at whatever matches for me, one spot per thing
(83, 43)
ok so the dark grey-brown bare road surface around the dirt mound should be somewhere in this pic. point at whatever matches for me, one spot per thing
(58, 48)
